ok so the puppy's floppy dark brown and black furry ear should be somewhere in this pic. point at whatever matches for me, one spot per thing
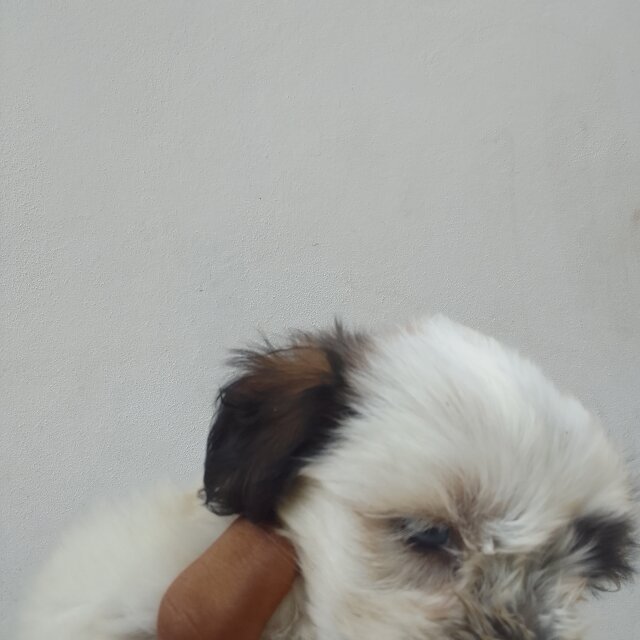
(281, 410)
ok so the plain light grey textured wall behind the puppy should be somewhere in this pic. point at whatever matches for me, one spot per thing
(180, 175)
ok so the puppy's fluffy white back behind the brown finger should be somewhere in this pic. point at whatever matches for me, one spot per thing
(108, 576)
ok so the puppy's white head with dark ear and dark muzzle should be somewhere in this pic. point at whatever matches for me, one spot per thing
(437, 486)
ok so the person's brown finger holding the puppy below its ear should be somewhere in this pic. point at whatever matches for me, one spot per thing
(232, 589)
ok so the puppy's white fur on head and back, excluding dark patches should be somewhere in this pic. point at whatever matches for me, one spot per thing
(451, 426)
